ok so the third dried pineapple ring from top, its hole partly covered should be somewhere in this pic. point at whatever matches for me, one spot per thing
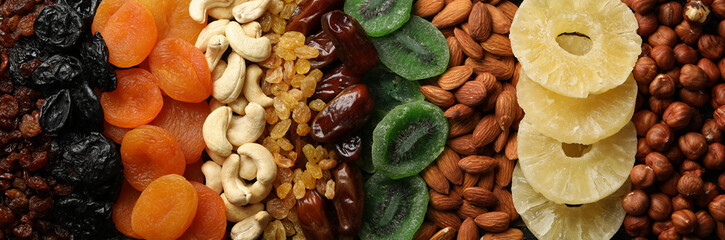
(575, 173)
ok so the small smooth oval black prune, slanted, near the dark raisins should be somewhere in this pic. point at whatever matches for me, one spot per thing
(56, 112)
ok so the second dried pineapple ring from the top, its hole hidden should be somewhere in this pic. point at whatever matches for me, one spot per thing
(577, 120)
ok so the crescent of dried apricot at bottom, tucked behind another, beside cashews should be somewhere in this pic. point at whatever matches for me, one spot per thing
(210, 221)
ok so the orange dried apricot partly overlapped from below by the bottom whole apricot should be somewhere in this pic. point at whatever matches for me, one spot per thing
(149, 152)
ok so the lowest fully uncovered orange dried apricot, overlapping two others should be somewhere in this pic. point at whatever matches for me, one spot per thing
(165, 208)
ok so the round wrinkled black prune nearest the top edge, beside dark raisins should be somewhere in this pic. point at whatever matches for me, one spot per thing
(58, 25)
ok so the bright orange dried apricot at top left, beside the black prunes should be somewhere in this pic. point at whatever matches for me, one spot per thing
(128, 29)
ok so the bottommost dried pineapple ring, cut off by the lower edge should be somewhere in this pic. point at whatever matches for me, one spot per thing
(549, 220)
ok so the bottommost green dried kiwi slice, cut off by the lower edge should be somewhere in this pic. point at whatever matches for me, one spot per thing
(394, 209)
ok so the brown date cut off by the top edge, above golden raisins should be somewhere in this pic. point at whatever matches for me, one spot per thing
(306, 18)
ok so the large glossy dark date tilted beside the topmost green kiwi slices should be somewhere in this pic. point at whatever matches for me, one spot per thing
(354, 47)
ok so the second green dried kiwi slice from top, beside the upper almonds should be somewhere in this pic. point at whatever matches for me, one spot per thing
(417, 50)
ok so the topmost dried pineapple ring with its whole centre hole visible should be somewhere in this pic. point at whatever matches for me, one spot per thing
(576, 47)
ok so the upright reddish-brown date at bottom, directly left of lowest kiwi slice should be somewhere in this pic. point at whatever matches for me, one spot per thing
(349, 198)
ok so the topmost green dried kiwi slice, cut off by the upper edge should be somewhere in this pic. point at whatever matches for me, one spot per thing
(379, 17)
